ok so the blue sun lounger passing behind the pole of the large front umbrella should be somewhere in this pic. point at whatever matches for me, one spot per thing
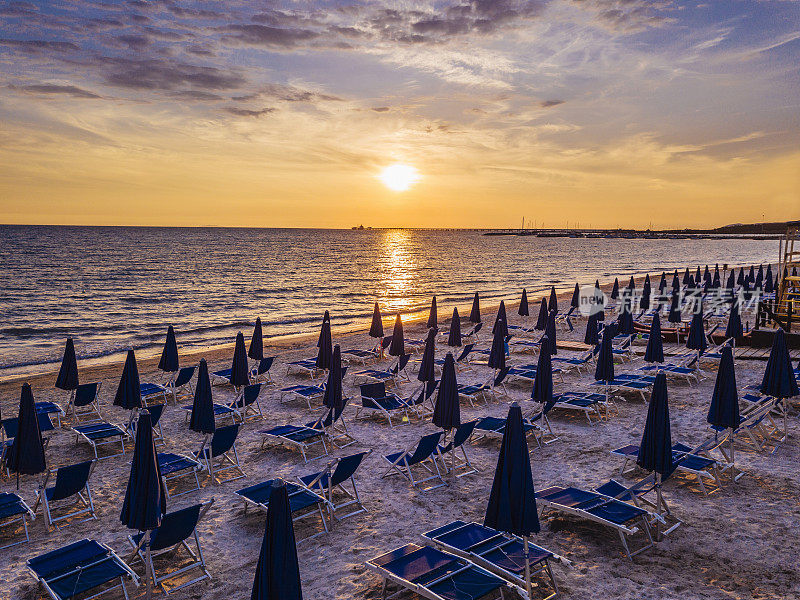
(500, 553)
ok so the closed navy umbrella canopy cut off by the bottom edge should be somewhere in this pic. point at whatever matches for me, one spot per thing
(278, 570)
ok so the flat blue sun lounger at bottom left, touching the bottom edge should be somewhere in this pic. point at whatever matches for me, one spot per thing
(80, 568)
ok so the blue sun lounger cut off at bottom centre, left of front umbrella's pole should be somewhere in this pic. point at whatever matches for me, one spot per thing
(434, 574)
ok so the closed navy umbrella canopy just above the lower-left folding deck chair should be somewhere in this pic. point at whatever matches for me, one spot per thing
(145, 497)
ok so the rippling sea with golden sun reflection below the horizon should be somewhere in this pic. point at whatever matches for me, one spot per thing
(115, 288)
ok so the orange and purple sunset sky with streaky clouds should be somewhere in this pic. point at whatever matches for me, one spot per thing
(601, 113)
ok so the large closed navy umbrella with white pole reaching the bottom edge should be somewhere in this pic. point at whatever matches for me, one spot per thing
(512, 501)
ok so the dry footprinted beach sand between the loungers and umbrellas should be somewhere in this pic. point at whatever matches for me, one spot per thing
(740, 542)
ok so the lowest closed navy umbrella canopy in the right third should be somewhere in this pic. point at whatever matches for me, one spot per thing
(655, 451)
